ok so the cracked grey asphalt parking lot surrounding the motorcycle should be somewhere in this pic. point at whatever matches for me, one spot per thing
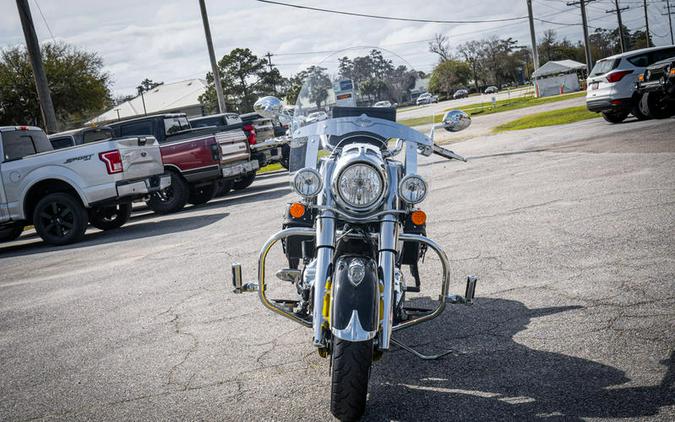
(570, 230)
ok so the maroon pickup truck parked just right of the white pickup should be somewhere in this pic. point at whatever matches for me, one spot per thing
(201, 162)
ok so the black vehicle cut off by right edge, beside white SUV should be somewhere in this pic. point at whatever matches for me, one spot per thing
(656, 89)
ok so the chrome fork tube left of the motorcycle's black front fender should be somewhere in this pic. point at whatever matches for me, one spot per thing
(325, 247)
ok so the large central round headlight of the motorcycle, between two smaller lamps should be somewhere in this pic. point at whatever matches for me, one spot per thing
(360, 185)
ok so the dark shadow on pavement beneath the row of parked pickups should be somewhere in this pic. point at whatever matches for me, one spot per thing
(132, 231)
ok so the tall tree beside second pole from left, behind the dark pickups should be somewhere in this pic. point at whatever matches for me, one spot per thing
(244, 77)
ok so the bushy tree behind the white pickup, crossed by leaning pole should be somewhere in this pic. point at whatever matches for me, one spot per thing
(79, 87)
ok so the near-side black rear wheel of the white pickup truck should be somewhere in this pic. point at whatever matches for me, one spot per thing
(60, 219)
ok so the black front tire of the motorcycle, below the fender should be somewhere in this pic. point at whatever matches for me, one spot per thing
(350, 370)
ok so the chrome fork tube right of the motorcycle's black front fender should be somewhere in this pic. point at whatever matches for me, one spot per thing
(387, 250)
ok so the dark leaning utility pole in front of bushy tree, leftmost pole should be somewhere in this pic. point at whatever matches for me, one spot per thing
(33, 47)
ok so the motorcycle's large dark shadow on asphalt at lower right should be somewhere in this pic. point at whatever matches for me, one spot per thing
(502, 379)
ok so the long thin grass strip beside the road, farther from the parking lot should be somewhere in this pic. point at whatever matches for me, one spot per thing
(487, 107)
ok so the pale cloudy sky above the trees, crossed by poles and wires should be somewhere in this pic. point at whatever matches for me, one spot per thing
(164, 39)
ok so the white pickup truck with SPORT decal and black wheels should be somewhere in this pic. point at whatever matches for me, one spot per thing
(60, 192)
